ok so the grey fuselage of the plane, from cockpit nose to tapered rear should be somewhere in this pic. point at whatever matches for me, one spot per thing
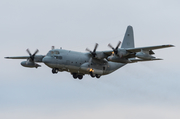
(79, 63)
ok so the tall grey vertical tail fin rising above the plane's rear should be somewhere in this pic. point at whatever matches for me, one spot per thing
(128, 41)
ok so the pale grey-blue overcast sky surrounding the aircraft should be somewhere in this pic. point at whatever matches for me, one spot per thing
(142, 90)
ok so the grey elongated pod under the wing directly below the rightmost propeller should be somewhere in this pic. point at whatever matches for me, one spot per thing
(118, 59)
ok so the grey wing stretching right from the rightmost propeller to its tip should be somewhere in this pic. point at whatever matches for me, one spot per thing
(148, 48)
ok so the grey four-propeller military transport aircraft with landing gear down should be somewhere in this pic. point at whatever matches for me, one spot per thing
(95, 63)
